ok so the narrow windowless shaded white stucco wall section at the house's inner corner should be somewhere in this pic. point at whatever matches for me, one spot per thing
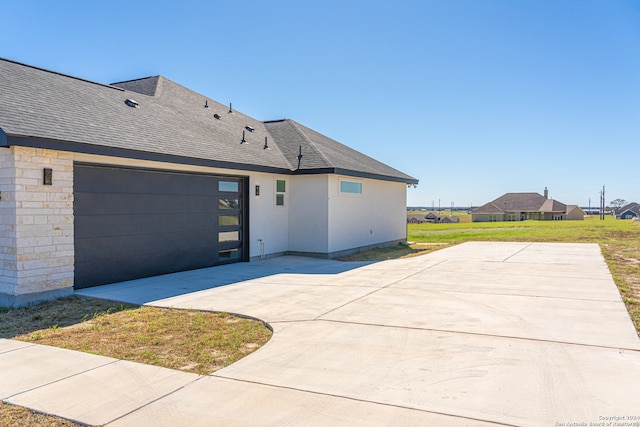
(309, 214)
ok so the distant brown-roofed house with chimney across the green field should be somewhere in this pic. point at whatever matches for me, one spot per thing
(526, 206)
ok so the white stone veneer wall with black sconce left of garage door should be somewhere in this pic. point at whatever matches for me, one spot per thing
(36, 226)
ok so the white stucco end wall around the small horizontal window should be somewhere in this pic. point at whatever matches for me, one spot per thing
(378, 215)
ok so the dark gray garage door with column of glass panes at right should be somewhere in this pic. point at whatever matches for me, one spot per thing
(134, 223)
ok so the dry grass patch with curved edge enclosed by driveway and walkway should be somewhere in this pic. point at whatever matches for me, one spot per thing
(187, 340)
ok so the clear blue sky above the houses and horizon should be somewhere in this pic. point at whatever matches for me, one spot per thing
(475, 98)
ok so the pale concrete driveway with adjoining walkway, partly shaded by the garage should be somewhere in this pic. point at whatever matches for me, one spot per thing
(477, 334)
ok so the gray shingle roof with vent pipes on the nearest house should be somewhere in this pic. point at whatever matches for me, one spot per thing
(170, 120)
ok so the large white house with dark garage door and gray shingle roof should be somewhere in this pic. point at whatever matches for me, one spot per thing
(105, 183)
